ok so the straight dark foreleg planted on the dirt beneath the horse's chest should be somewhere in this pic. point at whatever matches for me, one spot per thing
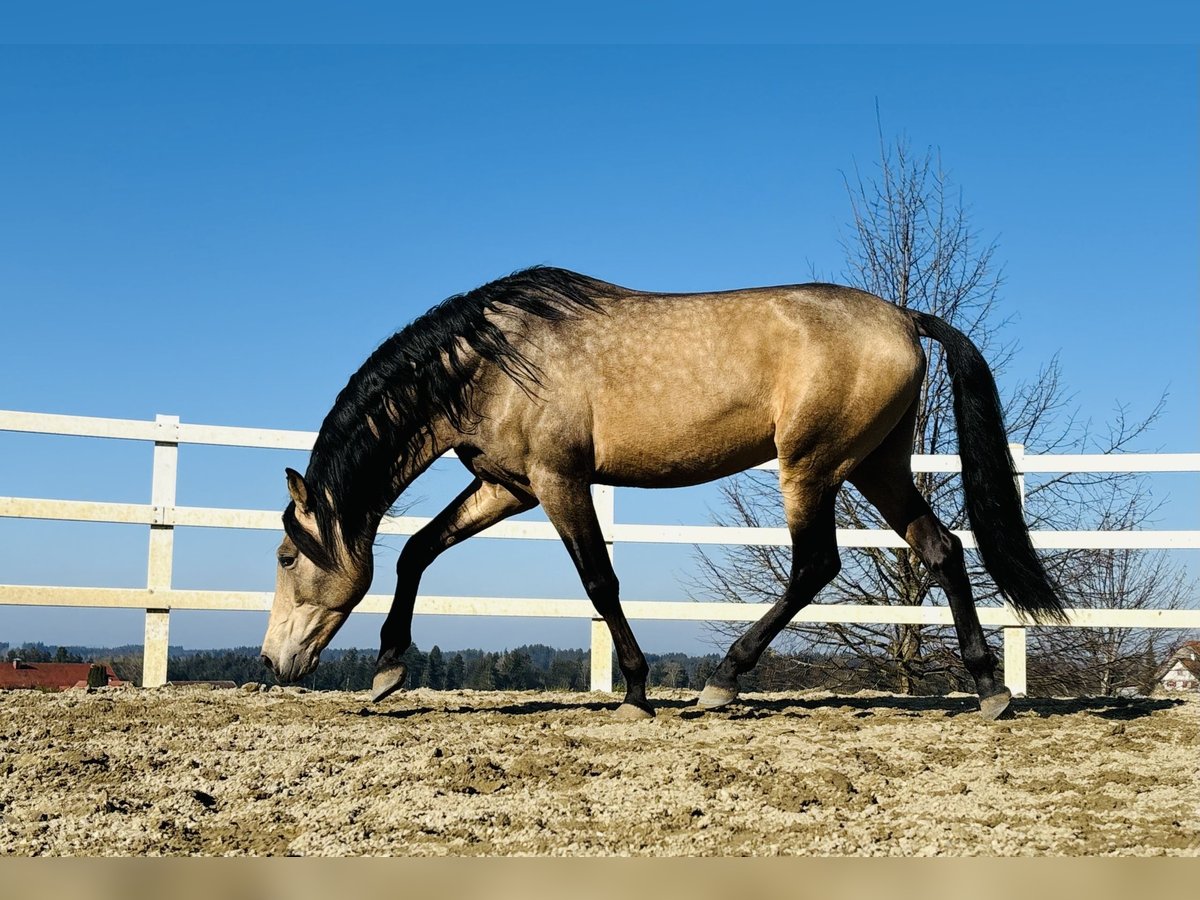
(569, 508)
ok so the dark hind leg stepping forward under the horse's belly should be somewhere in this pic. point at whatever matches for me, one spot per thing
(815, 563)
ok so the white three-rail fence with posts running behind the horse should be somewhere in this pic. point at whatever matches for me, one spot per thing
(163, 517)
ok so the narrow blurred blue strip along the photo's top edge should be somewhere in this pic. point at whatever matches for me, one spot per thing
(637, 22)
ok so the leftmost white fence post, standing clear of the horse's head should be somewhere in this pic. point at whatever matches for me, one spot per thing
(163, 549)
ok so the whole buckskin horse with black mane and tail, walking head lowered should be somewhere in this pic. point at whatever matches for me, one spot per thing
(547, 382)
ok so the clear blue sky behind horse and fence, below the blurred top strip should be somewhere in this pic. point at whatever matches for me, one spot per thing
(224, 233)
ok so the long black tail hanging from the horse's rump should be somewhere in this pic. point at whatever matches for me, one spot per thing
(994, 506)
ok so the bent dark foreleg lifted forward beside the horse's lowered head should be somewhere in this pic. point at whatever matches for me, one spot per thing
(479, 507)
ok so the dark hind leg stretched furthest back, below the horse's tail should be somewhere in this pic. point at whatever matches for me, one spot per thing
(886, 481)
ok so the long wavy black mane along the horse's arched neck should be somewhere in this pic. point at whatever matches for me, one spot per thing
(423, 375)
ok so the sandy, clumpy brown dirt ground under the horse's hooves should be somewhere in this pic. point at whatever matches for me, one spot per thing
(189, 771)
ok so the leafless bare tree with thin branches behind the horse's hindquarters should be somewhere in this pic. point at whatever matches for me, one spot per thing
(911, 242)
